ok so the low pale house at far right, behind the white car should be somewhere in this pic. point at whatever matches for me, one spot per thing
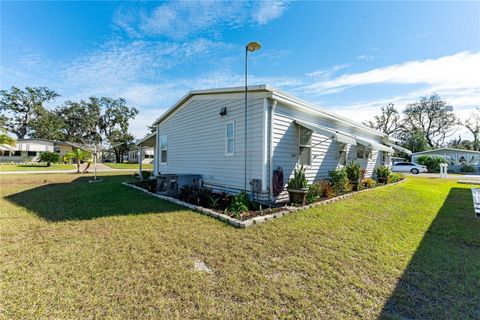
(455, 157)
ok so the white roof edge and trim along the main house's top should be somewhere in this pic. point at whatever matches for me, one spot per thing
(277, 95)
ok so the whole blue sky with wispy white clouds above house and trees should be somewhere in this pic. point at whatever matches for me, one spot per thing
(347, 57)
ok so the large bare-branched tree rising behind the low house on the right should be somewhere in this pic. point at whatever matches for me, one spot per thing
(432, 117)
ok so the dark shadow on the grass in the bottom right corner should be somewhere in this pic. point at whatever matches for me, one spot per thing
(442, 281)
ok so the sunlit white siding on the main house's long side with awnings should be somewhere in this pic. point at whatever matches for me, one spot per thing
(325, 150)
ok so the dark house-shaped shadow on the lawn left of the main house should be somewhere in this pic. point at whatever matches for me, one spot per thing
(80, 200)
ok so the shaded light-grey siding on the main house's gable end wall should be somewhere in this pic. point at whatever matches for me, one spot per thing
(196, 139)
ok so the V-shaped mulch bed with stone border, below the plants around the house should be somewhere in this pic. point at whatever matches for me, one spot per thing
(250, 217)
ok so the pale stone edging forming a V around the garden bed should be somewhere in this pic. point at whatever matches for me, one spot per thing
(256, 220)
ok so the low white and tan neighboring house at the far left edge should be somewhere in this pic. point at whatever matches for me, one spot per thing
(28, 150)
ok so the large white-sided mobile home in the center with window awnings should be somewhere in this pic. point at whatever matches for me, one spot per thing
(204, 134)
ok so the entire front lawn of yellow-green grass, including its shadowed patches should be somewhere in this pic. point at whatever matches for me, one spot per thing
(70, 249)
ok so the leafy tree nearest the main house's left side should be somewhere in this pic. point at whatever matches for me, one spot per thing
(114, 124)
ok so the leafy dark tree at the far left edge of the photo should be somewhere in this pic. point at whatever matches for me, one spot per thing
(20, 107)
